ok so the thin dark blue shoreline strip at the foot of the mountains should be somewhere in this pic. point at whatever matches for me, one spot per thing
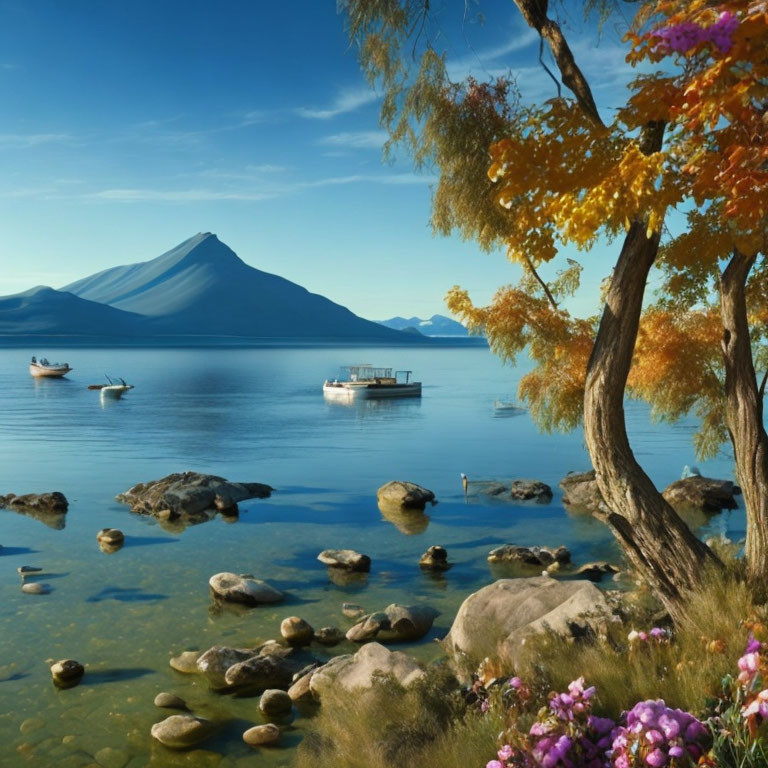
(230, 342)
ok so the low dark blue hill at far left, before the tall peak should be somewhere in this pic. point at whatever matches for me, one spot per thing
(42, 311)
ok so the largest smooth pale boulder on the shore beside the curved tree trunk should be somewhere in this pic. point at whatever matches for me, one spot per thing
(496, 620)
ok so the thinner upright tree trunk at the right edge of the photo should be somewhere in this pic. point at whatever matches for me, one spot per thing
(744, 413)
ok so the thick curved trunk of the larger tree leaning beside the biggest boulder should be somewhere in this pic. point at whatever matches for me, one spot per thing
(658, 543)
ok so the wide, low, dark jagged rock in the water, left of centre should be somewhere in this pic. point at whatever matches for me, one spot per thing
(190, 495)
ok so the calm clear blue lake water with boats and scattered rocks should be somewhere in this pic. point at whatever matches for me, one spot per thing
(253, 415)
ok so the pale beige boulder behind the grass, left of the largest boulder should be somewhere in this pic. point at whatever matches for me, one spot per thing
(358, 671)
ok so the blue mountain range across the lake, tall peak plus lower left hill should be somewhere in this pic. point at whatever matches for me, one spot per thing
(200, 288)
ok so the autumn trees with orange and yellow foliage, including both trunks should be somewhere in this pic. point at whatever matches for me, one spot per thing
(691, 137)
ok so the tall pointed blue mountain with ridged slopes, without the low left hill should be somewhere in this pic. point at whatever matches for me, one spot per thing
(201, 287)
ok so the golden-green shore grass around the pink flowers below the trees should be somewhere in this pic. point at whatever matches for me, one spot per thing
(430, 725)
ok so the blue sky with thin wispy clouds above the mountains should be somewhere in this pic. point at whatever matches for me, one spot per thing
(127, 127)
